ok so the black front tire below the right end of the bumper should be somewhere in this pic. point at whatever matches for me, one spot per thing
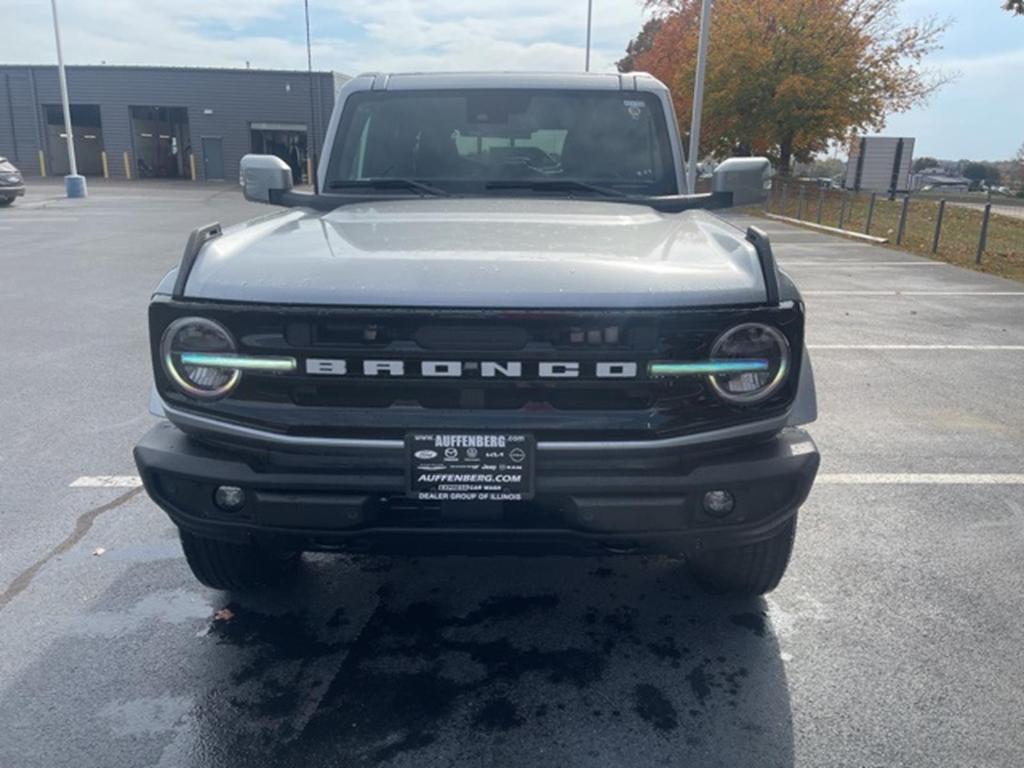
(751, 570)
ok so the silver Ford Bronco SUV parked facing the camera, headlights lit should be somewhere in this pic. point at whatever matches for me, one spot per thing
(503, 325)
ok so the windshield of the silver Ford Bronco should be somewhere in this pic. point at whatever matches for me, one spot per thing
(494, 142)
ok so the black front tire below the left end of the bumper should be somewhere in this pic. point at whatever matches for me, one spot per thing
(226, 566)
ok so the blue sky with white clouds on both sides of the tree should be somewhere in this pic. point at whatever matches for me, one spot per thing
(979, 116)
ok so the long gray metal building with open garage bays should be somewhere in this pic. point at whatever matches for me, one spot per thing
(163, 122)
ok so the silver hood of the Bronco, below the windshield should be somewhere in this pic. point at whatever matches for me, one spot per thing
(490, 252)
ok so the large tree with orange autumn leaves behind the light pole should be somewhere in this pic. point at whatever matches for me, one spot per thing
(785, 78)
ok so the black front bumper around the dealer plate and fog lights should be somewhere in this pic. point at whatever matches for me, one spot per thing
(586, 502)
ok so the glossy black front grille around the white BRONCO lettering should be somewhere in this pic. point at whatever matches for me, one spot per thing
(386, 406)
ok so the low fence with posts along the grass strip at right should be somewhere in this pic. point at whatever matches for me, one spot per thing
(959, 229)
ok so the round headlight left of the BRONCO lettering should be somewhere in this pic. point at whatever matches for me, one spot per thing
(198, 335)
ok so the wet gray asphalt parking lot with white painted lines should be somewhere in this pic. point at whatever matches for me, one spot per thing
(895, 639)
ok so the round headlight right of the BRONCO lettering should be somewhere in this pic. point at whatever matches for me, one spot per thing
(760, 355)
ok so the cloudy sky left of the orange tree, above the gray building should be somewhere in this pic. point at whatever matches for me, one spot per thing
(382, 35)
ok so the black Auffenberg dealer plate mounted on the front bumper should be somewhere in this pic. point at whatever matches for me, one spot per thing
(471, 466)
